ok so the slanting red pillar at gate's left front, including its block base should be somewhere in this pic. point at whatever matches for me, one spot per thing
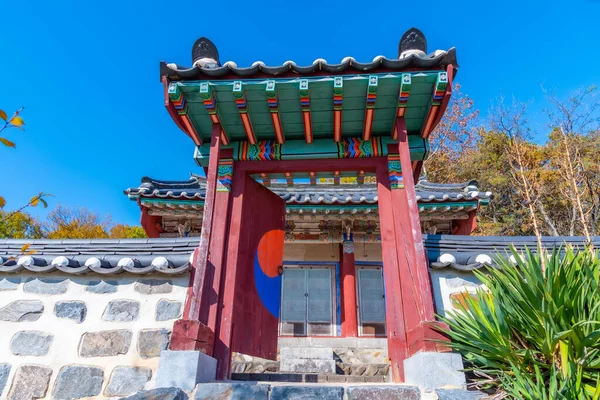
(190, 333)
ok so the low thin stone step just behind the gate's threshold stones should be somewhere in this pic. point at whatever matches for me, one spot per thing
(307, 378)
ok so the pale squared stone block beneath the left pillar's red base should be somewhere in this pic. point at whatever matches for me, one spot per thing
(185, 369)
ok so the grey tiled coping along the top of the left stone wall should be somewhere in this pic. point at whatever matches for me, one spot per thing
(102, 256)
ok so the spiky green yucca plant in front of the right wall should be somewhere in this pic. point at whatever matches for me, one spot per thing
(535, 332)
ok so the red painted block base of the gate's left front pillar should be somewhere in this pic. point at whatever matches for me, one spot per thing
(192, 335)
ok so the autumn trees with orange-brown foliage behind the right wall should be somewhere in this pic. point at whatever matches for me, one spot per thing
(547, 186)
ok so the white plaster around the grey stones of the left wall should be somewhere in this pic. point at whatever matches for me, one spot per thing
(67, 333)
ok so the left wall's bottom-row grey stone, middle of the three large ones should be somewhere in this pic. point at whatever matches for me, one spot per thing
(78, 381)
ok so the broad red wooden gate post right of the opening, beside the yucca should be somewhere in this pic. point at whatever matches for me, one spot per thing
(409, 299)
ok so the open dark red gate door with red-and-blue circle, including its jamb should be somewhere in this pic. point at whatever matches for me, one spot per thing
(252, 290)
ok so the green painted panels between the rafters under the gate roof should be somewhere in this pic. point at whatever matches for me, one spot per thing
(321, 106)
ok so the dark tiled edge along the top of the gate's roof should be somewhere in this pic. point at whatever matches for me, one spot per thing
(438, 59)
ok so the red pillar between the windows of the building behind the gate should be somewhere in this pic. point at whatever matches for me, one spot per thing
(348, 288)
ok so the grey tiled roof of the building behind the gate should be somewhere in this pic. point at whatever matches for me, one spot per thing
(194, 189)
